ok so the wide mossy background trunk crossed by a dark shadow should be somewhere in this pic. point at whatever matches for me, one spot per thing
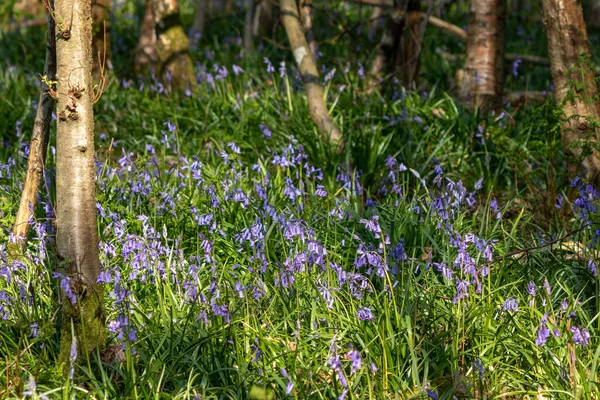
(164, 46)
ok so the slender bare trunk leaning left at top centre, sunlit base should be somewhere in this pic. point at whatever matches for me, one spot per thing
(310, 76)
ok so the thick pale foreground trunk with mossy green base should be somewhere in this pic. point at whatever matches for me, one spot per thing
(76, 228)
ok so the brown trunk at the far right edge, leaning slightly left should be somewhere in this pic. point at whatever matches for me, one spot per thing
(574, 82)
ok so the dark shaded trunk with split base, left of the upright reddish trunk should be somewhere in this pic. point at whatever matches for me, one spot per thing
(399, 51)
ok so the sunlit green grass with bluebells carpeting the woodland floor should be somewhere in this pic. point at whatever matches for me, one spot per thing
(269, 290)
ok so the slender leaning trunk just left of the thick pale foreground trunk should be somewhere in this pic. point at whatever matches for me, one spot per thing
(39, 144)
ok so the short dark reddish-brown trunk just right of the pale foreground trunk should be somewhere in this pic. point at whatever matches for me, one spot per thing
(101, 39)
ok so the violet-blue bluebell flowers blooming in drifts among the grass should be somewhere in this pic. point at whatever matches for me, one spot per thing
(259, 212)
